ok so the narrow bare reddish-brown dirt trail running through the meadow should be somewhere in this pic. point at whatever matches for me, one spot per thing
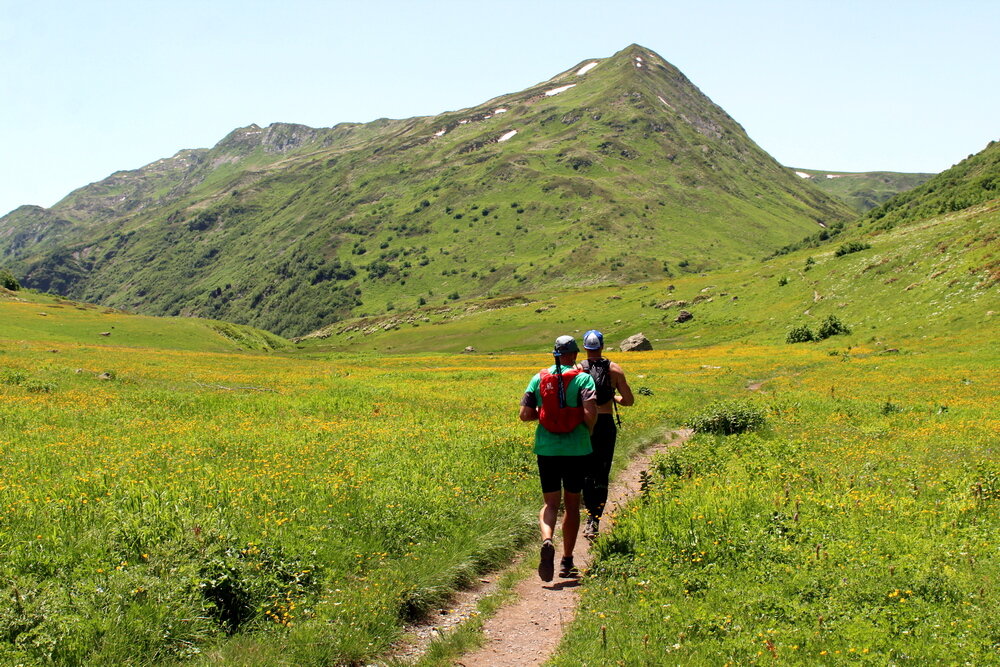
(527, 631)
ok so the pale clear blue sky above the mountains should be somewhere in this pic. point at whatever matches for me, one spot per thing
(91, 87)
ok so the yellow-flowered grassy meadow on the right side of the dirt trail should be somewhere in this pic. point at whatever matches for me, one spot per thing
(856, 527)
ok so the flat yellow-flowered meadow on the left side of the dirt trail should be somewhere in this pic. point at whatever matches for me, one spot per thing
(163, 505)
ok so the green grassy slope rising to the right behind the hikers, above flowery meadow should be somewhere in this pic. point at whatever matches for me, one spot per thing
(920, 279)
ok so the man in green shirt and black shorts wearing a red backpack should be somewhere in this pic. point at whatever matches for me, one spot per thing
(563, 400)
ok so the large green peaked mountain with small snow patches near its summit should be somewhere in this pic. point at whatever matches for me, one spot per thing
(616, 170)
